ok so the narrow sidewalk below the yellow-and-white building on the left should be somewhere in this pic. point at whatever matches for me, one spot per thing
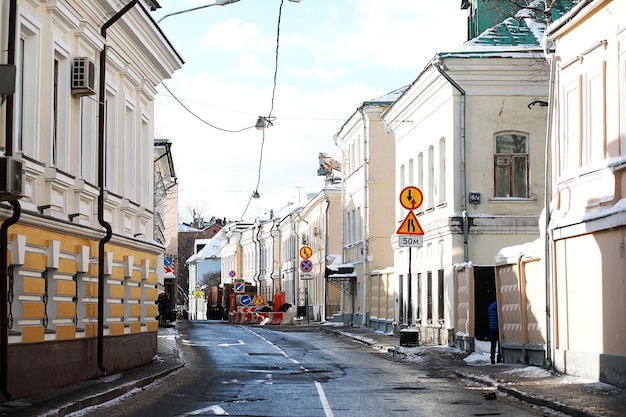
(63, 401)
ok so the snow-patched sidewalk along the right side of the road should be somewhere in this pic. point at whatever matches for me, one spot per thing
(567, 394)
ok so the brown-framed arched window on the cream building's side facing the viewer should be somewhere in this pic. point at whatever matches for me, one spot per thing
(511, 165)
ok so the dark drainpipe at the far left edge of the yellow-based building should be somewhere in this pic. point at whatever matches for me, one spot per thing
(4, 229)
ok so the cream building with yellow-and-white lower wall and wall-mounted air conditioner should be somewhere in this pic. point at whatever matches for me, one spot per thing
(77, 216)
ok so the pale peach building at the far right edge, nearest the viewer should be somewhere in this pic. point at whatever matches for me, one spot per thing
(588, 219)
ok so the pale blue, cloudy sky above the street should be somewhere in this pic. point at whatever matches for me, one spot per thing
(332, 56)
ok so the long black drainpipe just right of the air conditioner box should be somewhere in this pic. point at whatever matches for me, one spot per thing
(101, 172)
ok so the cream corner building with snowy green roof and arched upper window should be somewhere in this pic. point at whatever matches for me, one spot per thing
(470, 134)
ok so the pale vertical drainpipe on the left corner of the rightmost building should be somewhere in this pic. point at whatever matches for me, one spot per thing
(548, 44)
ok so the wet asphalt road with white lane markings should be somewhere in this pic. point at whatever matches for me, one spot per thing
(259, 371)
